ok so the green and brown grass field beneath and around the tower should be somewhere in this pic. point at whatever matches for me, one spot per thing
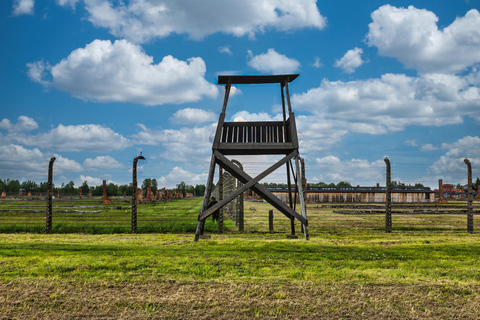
(428, 267)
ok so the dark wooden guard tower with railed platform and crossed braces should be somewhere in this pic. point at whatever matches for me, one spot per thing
(257, 138)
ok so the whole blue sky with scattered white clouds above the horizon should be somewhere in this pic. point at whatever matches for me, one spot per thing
(96, 82)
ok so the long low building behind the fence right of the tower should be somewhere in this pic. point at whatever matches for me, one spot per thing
(359, 194)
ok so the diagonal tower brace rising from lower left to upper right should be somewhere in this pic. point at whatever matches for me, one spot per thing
(246, 186)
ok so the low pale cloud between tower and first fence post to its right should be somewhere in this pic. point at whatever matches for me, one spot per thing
(356, 171)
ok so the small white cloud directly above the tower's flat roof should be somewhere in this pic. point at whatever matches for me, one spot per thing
(273, 62)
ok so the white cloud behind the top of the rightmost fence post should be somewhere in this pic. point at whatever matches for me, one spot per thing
(451, 165)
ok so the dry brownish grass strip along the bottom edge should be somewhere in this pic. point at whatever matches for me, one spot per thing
(50, 299)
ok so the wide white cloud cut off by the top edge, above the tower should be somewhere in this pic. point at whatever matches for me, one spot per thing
(143, 20)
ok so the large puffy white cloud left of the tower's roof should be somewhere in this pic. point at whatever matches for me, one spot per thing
(121, 72)
